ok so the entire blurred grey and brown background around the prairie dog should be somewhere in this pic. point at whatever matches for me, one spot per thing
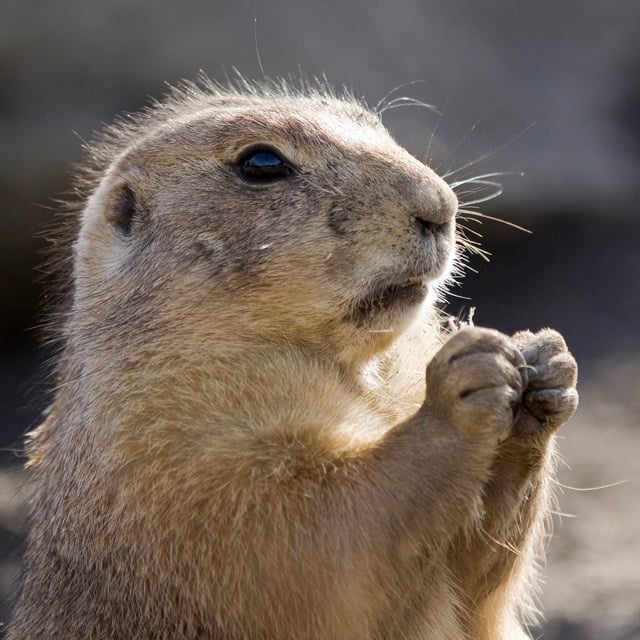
(547, 88)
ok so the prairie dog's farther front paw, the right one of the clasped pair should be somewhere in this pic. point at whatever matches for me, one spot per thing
(550, 395)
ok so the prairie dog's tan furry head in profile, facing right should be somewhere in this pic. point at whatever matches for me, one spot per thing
(268, 214)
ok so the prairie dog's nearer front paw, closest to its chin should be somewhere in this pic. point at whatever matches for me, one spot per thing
(476, 382)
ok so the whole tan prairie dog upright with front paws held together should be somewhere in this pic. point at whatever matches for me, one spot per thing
(243, 443)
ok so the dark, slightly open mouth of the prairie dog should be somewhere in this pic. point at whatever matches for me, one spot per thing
(391, 297)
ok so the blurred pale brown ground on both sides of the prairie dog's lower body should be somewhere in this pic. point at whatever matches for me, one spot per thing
(591, 587)
